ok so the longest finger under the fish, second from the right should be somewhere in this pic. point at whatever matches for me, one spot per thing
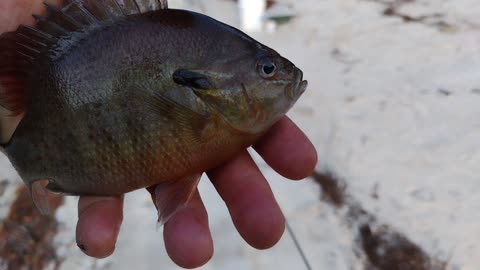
(250, 201)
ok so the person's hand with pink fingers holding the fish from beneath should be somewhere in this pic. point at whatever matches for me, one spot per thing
(241, 185)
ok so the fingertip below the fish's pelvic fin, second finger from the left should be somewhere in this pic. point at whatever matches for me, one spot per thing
(187, 236)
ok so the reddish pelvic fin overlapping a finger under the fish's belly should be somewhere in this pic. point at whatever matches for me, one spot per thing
(171, 196)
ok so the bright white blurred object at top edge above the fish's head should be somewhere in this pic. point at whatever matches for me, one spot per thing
(251, 14)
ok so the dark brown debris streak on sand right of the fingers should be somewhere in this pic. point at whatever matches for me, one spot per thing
(383, 247)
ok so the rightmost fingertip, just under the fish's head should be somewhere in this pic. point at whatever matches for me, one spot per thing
(288, 150)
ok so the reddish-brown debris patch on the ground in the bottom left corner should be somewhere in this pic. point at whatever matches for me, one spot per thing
(26, 236)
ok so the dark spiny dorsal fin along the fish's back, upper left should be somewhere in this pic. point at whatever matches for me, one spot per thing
(19, 49)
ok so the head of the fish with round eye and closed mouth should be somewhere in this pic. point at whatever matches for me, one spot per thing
(252, 92)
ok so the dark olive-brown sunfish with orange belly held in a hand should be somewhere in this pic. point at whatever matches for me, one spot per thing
(118, 95)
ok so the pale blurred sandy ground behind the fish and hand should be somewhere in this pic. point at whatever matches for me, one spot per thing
(393, 107)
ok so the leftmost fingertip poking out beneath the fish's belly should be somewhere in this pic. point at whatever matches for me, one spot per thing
(99, 220)
